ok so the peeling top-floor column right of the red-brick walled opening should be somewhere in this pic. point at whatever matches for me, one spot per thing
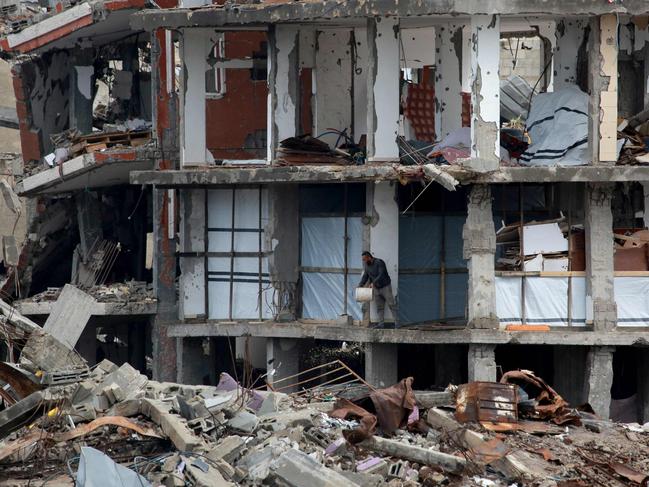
(283, 82)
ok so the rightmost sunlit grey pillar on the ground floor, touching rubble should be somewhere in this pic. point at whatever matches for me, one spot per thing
(599, 379)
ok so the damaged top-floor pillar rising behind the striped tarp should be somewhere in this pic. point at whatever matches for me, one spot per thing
(569, 36)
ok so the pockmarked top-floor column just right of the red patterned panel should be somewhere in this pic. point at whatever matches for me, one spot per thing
(448, 79)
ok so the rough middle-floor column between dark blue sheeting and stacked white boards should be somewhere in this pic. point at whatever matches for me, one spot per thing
(479, 250)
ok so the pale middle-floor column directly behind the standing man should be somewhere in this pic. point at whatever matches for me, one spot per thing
(384, 231)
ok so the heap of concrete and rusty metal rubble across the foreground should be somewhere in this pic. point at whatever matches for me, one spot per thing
(110, 425)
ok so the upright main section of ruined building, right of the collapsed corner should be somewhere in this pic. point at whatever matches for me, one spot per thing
(510, 210)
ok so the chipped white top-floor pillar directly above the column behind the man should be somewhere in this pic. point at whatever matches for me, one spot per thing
(383, 89)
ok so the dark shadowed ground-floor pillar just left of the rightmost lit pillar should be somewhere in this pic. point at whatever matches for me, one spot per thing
(569, 372)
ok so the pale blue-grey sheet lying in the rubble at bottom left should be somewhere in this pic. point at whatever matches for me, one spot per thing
(99, 470)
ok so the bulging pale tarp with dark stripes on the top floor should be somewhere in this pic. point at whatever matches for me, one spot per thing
(558, 128)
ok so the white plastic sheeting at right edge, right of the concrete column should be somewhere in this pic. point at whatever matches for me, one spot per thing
(631, 299)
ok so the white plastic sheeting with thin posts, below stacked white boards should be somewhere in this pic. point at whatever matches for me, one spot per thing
(546, 300)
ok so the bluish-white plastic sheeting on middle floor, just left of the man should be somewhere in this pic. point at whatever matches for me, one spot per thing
(323, 245)
